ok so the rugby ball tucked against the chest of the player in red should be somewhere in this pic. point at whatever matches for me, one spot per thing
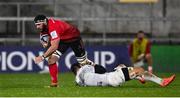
(44, 39)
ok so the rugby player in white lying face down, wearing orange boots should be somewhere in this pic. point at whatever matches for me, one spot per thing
(86, 76)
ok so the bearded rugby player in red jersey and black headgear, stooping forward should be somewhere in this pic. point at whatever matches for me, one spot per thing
(61, 36)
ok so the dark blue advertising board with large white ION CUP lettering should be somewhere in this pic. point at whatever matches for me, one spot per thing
(20, 59)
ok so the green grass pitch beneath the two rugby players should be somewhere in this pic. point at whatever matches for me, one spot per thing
(31, 84)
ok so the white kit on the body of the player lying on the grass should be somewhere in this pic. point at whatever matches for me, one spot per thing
(86, 76)
